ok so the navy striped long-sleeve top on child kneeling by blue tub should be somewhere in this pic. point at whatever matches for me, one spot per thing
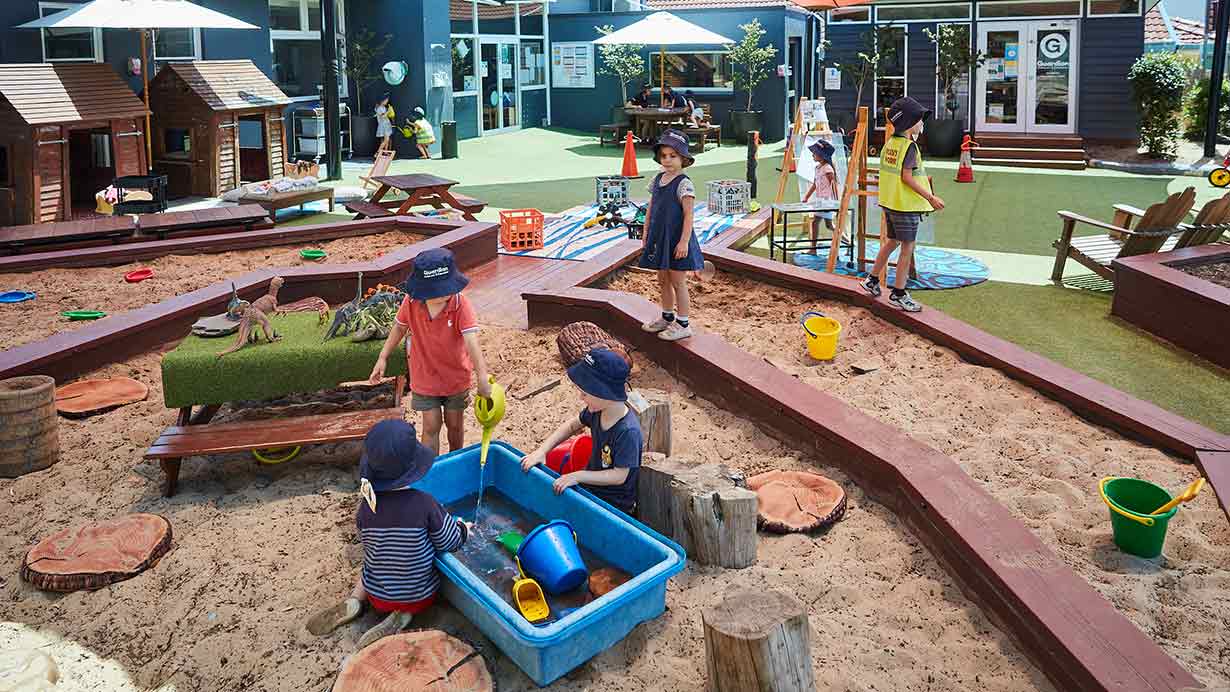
(400, 543)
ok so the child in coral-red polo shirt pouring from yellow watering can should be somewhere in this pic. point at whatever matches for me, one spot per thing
(443, 348)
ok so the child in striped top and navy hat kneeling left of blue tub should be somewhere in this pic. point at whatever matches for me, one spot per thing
(402, 530)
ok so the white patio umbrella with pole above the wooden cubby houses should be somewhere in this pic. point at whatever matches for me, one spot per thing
(143, 17)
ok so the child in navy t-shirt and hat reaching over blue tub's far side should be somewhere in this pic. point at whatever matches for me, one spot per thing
(616, 460)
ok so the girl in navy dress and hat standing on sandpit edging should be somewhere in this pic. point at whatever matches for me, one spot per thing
(671, 245)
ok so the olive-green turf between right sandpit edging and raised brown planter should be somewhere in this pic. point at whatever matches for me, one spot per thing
(1076, 329)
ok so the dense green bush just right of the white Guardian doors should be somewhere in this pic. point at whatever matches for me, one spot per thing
(1158, 84)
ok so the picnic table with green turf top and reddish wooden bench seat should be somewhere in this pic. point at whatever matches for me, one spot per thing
(301, 363)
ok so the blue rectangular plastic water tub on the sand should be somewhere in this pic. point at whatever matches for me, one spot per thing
(547, 653)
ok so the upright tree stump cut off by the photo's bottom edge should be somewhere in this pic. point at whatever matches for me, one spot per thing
(758, 641)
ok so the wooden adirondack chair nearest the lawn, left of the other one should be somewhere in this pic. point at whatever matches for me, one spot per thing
(1158, 224)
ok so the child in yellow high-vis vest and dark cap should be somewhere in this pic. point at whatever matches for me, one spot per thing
(905, 196)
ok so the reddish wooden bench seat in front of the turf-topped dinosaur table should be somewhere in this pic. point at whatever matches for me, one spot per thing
(179, 442)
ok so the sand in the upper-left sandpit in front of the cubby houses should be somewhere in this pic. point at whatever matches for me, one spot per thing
(104, 288)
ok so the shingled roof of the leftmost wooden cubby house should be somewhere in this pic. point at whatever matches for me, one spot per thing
(44, 94)
